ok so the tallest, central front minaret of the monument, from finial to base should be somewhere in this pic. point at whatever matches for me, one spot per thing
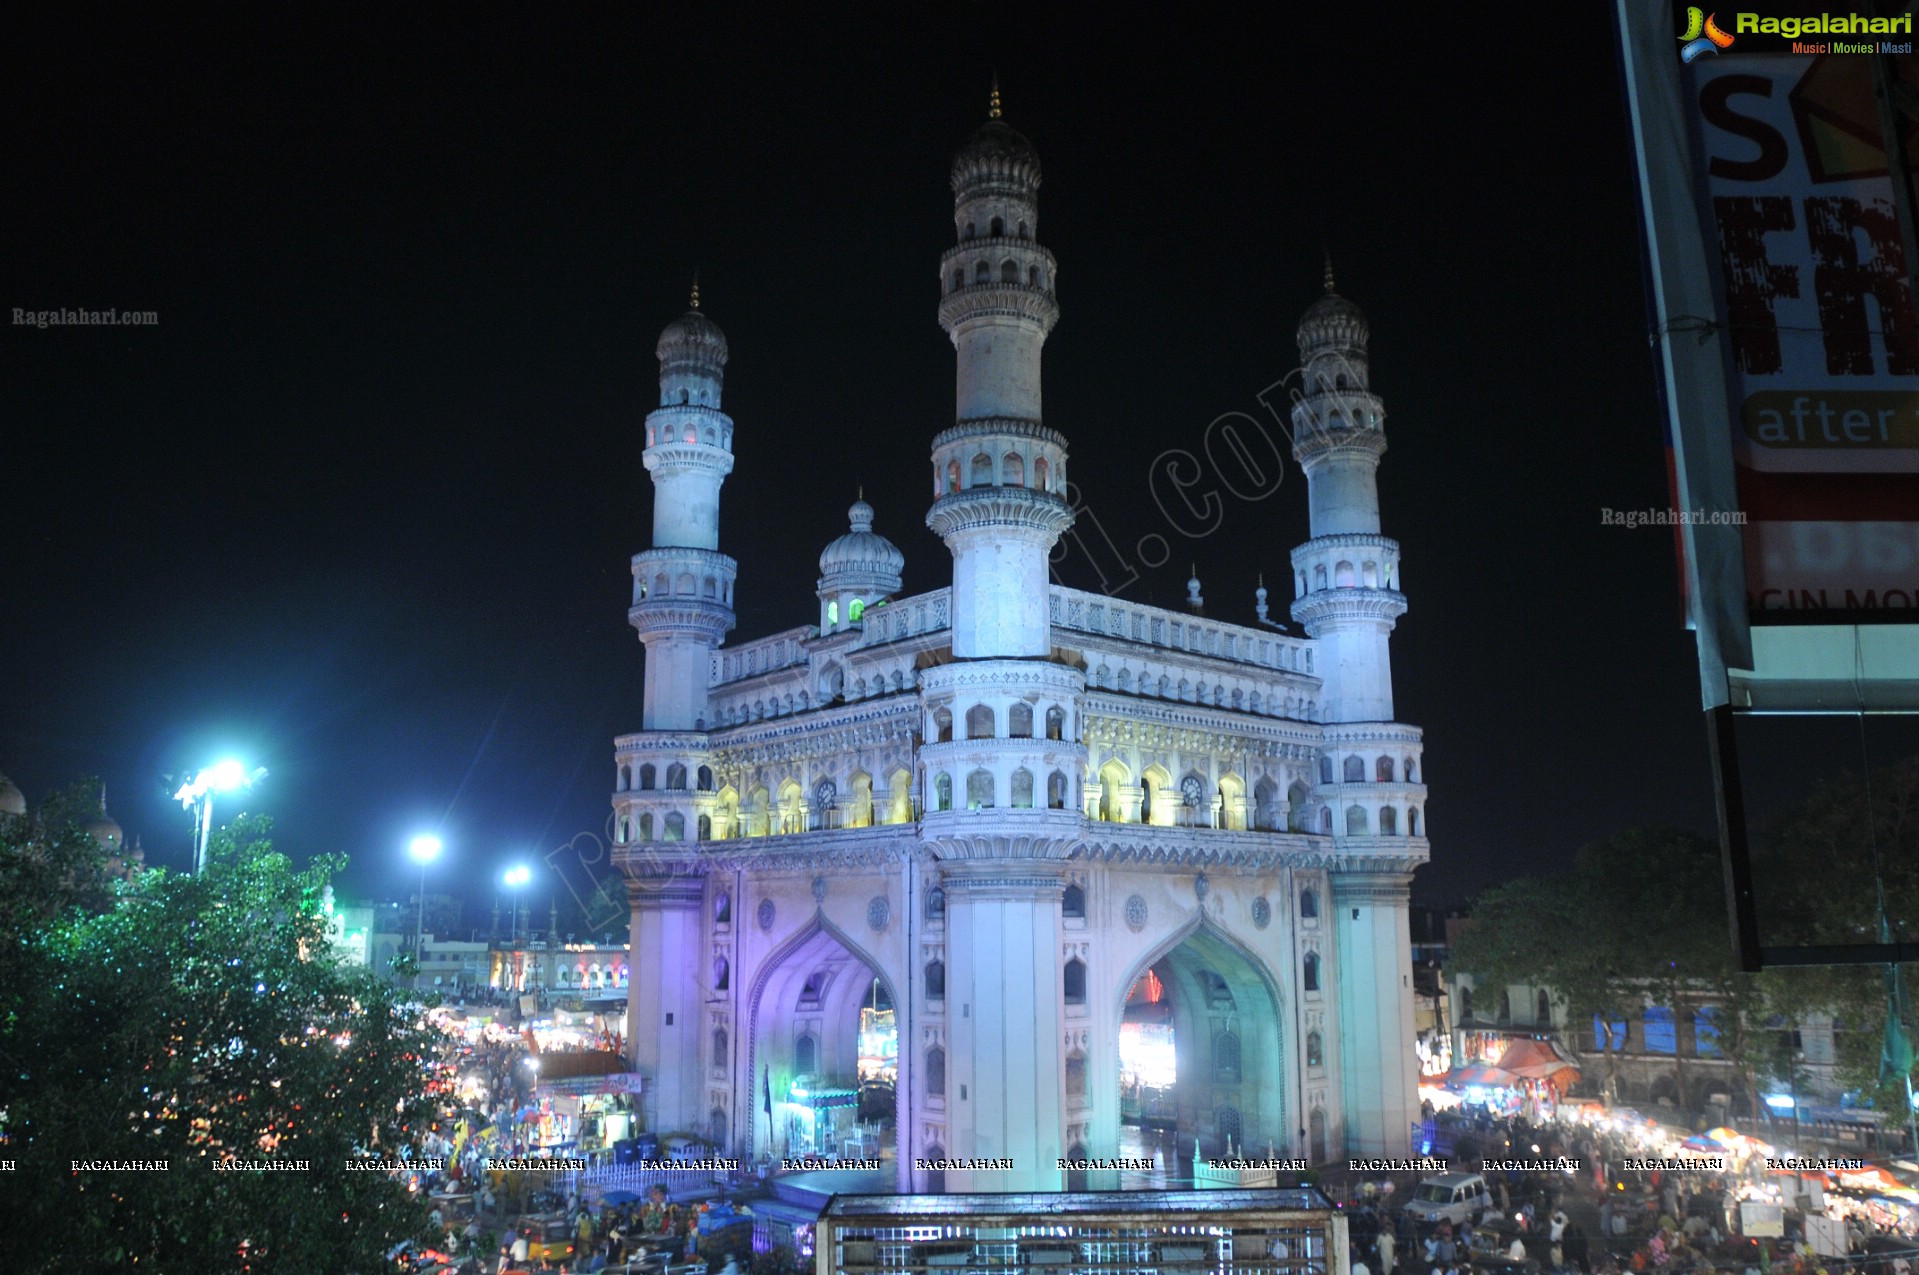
(1003, 765)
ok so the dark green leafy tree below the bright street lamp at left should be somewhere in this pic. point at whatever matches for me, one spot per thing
(197, 1021)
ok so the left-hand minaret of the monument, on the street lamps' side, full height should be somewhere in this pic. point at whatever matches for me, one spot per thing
(682, 610)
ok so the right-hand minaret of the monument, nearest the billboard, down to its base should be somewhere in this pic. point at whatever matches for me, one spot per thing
(1348, 598)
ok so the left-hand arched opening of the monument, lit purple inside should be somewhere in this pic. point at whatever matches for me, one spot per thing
(824, 1051)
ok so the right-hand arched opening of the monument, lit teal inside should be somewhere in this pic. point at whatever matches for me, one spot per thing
(1200, 1049)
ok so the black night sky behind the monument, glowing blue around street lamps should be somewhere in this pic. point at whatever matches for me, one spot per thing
(360, 508)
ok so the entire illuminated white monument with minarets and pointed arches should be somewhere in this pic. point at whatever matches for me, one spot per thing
(1012, 804)
